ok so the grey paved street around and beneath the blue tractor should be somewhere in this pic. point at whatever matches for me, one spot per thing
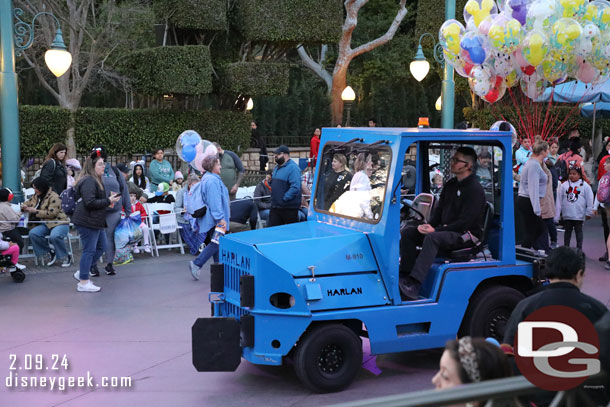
(139, 327)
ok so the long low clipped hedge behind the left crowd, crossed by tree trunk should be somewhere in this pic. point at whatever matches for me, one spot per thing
(124, 131)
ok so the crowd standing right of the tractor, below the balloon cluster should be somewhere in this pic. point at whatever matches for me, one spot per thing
(557, 184)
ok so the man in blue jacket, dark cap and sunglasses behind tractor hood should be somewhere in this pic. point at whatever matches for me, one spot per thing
(286, 189)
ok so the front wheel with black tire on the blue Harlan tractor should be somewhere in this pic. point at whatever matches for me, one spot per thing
(328, 358)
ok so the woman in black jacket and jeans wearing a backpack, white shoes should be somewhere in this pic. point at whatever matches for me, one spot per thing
(90, 217)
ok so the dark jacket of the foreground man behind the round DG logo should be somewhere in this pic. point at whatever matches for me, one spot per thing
(560, 293)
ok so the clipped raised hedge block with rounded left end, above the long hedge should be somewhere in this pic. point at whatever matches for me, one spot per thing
(174, 69)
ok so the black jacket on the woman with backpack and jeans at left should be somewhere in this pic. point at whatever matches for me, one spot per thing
(90, 211)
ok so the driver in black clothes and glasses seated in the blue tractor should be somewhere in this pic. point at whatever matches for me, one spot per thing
(460, 209)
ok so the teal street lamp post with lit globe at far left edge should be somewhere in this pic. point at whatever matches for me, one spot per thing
(58, 60)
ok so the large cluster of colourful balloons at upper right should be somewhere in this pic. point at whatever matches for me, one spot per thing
(529, 43)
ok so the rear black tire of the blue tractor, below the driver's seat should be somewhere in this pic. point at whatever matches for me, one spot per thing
(489, 311)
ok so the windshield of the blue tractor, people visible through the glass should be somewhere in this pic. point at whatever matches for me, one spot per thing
(352, 180)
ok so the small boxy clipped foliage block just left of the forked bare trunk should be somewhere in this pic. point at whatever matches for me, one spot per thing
(258, 79)
